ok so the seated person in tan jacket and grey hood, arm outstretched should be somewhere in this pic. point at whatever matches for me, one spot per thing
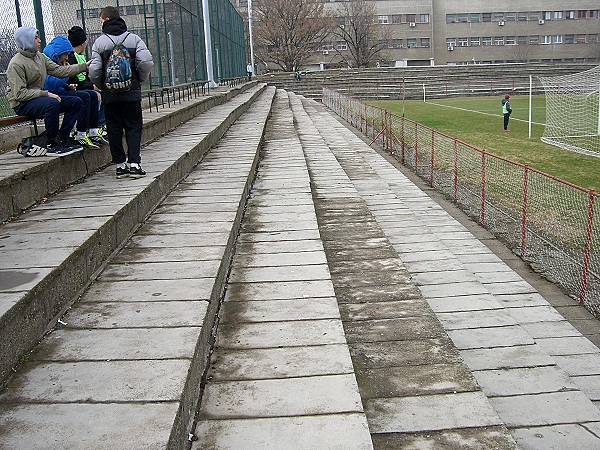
(26, 75)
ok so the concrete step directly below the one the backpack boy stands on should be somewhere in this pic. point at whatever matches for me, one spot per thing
(123, 367)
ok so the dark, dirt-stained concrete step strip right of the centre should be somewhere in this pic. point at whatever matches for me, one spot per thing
(416, 390)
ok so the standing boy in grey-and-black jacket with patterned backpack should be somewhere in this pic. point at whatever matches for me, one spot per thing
(120, 63)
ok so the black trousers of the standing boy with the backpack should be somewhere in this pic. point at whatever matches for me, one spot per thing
(124, 117)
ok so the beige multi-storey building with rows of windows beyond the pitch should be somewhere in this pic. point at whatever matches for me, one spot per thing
(428, 32)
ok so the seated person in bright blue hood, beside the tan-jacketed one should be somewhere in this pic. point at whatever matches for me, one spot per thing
(59, 50)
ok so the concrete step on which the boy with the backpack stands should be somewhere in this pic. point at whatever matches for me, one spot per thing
(50, 254)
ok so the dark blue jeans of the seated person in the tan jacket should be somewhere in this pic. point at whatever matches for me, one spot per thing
(49, 109)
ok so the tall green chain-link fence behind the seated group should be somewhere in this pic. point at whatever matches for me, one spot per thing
(172, 29)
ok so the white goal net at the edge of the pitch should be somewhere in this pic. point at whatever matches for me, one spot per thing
(573, 112)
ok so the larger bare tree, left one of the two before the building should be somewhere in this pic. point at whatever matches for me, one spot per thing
(287, 32)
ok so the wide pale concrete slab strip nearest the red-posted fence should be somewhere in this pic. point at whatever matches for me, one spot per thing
(538, 372)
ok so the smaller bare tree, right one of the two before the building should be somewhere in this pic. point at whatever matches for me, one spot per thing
(357, 27)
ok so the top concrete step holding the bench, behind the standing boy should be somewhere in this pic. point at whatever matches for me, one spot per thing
(25, 181)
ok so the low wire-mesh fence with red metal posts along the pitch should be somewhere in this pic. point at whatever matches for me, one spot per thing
(547, 221)
